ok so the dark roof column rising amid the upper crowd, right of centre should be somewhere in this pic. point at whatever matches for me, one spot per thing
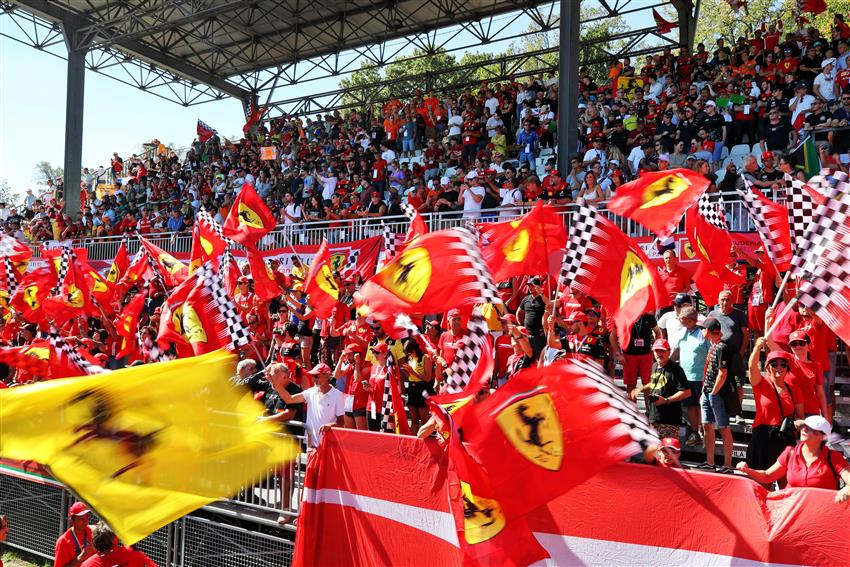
(568, 82)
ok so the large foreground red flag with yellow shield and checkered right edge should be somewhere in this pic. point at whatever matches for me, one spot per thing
(554, 428)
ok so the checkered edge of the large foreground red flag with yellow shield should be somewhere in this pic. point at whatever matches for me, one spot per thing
(617, 407)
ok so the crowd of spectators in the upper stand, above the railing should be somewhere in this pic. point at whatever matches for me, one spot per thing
(481, 149)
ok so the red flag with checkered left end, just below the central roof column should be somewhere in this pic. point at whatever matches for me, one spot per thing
(604, 263)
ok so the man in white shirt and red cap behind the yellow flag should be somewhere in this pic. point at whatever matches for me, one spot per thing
(325, 404)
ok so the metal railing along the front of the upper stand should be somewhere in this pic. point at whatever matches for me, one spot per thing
(312, 233)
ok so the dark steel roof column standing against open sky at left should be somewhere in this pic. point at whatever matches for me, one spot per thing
(74, 105)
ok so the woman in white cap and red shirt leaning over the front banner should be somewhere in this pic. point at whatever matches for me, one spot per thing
(810, 463)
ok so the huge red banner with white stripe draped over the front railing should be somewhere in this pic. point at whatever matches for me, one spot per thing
(385, 498)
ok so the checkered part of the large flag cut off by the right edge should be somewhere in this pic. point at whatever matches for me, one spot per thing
(829, 225)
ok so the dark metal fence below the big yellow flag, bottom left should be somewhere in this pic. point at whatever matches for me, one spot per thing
(35, 506)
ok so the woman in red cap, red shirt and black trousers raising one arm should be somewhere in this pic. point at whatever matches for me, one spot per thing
(778, 403)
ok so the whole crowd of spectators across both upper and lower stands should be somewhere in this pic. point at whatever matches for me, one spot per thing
(479, 151)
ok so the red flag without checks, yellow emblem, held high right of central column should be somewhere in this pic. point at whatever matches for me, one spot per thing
(658, 199)
